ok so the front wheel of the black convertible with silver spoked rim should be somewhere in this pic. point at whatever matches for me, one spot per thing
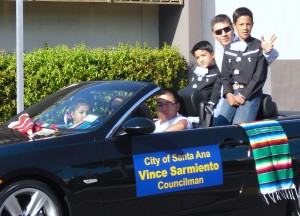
(29, 197)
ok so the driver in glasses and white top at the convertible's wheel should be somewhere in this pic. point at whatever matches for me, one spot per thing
(167, 106)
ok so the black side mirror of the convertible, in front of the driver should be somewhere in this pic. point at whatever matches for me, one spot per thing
(138, 125)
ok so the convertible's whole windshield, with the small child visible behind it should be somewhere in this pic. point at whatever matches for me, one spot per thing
(86, 107)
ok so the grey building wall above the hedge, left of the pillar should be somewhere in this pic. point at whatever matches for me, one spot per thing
(95, 24)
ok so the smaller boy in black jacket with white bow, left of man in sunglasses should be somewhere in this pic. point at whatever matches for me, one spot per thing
(205, 77)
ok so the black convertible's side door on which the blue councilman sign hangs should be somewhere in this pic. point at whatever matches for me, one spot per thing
(121, 195)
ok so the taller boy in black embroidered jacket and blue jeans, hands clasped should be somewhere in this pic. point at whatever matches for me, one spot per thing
(244, 72)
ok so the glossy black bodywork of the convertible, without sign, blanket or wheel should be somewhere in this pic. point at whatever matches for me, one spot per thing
(95, 173)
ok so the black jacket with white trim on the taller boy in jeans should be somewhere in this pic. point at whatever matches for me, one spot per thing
(249, 68)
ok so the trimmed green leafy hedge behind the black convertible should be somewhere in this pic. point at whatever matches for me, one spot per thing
(50, 69)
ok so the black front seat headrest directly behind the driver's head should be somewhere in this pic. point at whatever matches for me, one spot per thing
(190, 100)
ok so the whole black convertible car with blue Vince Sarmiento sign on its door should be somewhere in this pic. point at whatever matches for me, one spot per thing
(112, 164)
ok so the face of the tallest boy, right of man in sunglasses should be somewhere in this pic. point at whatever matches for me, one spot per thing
(243, 27)
